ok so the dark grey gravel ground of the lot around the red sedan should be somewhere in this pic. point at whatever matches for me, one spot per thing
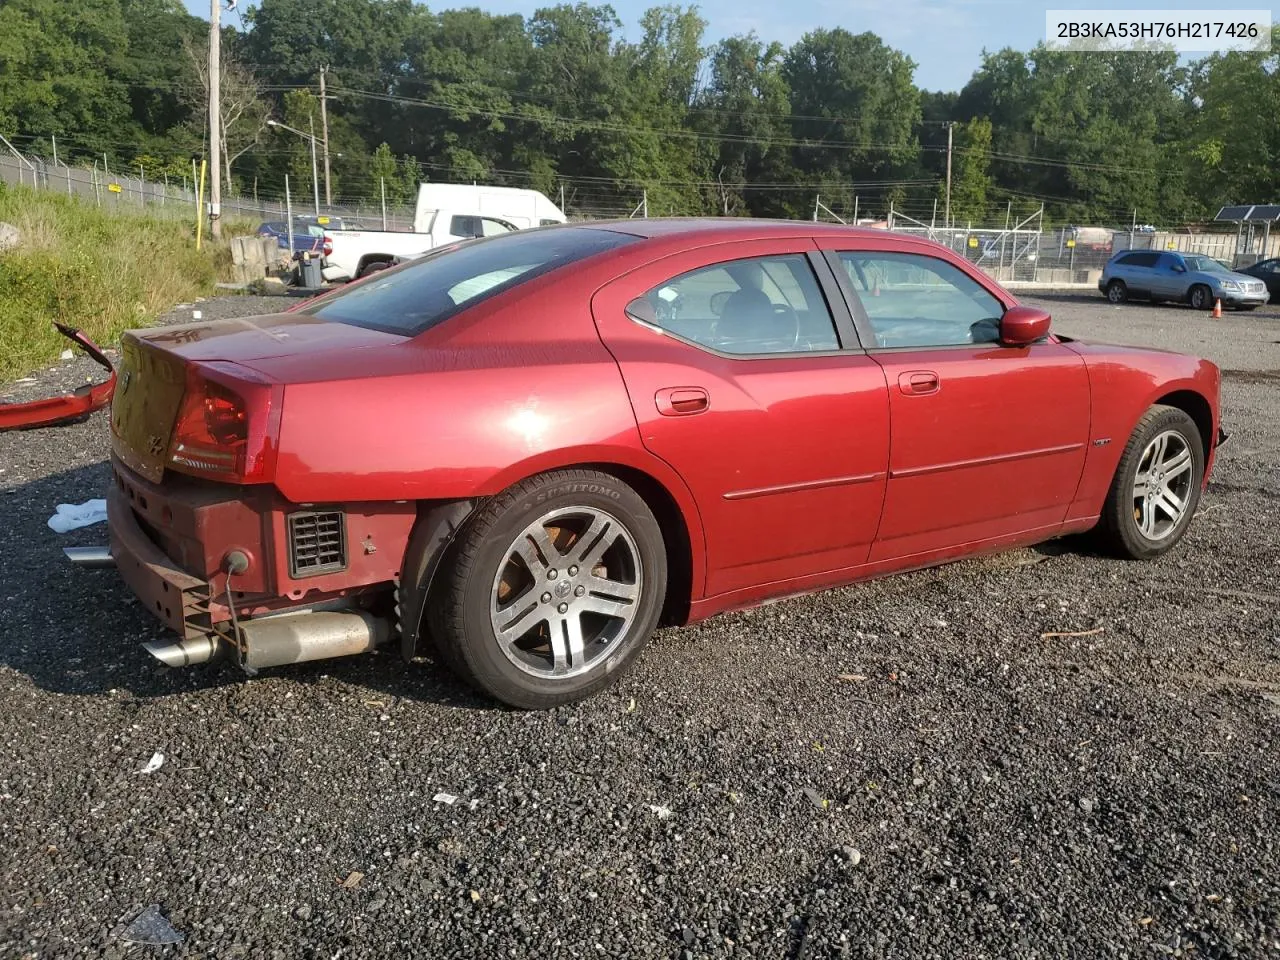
(906, 769)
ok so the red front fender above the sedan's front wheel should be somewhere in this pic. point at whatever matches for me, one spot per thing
(1124, 383)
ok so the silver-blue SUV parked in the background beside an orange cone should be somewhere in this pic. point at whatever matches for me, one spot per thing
(1190, 278)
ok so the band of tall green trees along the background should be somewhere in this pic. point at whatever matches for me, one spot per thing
(742, 126)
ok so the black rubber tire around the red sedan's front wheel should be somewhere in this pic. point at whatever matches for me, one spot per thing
(1119, 529)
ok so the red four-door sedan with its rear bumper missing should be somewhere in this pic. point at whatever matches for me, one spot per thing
(534, 449)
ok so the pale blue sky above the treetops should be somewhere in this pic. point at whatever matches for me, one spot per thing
(944, 38)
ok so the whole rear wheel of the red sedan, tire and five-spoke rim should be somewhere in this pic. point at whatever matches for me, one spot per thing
(555, 588)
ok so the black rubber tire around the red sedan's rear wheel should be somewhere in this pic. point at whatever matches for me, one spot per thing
(460, 611)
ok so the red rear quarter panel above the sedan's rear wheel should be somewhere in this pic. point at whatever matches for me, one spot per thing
(509, 390)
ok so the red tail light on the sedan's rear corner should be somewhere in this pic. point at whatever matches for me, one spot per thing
(227, 426)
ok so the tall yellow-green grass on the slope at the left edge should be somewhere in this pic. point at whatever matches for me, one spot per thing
(98, 271)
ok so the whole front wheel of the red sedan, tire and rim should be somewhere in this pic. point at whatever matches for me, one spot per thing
(1156, 487)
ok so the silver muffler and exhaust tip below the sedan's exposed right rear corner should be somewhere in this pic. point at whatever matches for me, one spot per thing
(280, 639)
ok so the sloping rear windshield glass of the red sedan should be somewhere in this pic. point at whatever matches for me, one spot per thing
(427, 292)
